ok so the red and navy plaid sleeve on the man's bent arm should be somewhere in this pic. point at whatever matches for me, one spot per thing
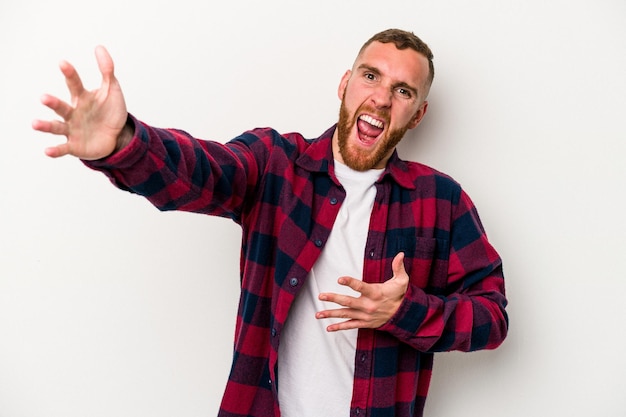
(469, 313)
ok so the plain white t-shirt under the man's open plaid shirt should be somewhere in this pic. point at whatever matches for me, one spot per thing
(315, 367)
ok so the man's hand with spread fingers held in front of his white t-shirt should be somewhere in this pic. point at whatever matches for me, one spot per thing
(376, 304)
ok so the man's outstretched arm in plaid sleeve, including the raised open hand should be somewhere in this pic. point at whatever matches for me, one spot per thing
(169, 167)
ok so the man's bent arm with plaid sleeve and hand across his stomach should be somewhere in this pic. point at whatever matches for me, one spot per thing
(468, 315)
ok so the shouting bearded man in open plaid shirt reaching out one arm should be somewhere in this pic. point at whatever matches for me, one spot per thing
(356, 266)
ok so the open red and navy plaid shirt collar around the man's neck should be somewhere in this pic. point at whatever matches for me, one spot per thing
(318, 157)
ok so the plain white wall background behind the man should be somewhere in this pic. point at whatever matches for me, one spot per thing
(111, 308)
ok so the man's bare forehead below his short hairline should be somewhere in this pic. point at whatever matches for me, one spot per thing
(401, 65)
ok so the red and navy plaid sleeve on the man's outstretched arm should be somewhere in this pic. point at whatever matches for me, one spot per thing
(176, 171)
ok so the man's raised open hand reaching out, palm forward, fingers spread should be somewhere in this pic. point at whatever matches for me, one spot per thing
(94, 121)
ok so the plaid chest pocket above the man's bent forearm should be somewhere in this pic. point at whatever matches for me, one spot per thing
(425, 260)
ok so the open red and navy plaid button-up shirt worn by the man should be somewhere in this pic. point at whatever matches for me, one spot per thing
(282, 191)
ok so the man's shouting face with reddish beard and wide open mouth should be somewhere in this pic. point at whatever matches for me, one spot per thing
(382, 97)
